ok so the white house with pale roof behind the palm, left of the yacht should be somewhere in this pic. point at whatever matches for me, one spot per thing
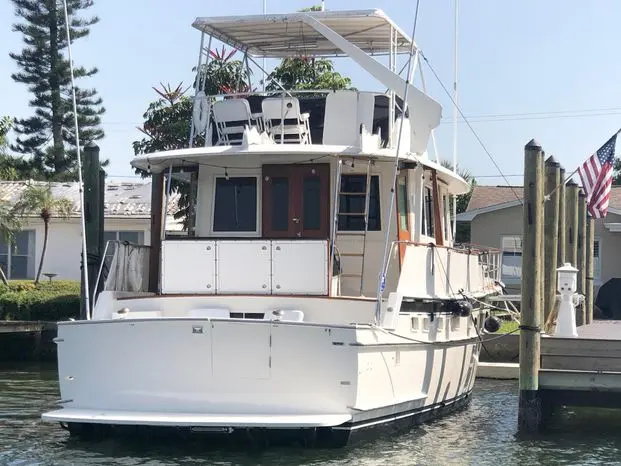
(127, 217)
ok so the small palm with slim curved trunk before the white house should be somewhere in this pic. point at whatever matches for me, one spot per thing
(38, 199)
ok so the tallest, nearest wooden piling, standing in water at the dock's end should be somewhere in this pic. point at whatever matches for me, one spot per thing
(529, 409)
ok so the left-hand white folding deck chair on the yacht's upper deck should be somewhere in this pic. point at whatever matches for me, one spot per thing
(231, 116)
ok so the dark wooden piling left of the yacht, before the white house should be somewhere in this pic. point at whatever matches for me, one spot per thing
(93, 205)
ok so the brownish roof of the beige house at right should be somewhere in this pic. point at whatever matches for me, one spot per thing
(491, 198)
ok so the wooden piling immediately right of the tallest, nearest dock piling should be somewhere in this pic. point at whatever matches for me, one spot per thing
(551, 233)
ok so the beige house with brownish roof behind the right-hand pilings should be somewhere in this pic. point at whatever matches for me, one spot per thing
(495, 217)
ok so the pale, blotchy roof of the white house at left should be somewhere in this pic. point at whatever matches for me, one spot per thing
(122, 199)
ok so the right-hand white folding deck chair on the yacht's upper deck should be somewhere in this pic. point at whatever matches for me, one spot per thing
(284, 121)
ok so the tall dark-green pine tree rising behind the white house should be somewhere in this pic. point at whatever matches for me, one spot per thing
(48, 136)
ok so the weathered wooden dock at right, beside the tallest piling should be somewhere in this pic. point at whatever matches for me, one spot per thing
(583, 371)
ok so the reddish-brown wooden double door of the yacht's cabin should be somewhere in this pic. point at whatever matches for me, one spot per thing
(296, 200)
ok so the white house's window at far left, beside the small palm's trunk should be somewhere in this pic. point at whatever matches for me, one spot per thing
(17, 258)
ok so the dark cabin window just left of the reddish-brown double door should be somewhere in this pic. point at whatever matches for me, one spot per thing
(235, 204)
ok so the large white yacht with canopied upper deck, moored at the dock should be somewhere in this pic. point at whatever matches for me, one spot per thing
(317, 290)
